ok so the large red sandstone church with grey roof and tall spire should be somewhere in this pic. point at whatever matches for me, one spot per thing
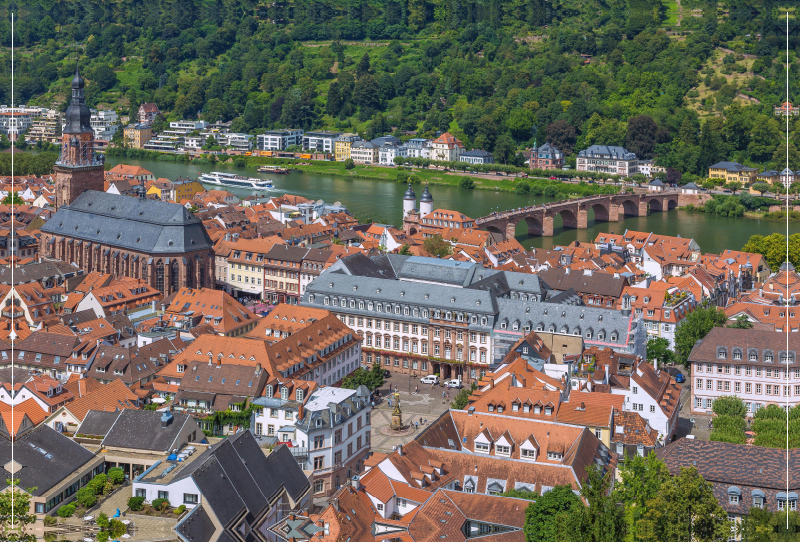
(159, 242)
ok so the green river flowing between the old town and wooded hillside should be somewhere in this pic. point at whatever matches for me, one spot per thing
(382, 201)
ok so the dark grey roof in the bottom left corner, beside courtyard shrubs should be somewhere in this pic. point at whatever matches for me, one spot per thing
(46, 456)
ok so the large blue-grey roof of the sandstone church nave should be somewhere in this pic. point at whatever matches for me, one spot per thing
(142, 225)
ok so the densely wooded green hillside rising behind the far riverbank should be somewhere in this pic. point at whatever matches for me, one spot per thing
(687, 86)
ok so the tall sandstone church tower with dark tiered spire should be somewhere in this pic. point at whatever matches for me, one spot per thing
(78, 168)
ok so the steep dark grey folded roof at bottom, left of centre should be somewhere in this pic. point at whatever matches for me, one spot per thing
(238, 482)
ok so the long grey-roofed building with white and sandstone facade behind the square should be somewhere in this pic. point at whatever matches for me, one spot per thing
(427, 315)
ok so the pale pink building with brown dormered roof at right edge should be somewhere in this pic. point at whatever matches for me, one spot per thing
(752, 364)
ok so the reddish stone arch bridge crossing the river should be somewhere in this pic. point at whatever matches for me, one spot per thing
(575, 213)
